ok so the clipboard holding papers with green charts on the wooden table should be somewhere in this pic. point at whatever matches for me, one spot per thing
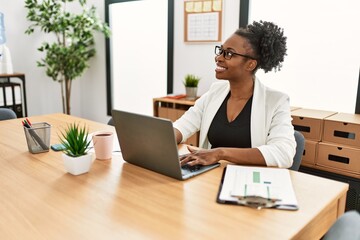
(230, 193)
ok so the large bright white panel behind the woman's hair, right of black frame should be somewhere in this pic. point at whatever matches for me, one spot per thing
(321, 69)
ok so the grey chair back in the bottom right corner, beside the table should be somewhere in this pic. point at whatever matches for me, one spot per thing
(345, 228)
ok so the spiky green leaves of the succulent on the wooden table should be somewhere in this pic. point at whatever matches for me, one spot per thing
(75, 140)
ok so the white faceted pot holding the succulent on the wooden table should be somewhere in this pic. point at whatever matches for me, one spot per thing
(78, 165)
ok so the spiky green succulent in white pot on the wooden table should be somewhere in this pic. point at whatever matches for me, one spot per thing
(76, 141)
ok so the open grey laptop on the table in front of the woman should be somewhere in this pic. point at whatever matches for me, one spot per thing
(149, 142)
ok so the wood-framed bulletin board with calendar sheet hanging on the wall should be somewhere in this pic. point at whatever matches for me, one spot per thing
(202, 20)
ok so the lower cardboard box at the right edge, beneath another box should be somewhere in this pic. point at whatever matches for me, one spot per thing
(339, 157)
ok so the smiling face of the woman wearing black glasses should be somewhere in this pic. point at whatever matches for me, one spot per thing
(238, 66)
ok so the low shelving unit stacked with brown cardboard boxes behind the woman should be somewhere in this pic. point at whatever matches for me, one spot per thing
(332, 148)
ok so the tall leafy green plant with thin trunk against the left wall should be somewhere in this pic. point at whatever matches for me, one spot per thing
(66, 58)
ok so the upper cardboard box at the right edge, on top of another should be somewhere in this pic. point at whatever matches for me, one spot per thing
(342, 128)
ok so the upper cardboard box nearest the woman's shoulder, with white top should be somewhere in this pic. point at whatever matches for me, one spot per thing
(310, 122)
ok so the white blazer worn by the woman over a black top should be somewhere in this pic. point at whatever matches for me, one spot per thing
(271, 129)
